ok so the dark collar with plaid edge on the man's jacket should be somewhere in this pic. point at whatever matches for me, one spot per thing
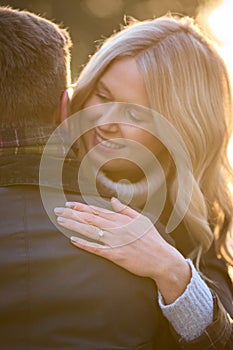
(20, 156)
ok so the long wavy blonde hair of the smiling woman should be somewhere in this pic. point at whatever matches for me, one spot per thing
(187, 82)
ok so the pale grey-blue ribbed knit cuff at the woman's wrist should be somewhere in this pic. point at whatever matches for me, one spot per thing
(192, 312)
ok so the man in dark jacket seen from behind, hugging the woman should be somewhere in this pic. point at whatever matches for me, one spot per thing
(52, 296)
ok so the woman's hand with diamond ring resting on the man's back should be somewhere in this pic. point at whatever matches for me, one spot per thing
(130, 241)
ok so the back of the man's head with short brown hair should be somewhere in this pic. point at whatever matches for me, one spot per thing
(34, 68)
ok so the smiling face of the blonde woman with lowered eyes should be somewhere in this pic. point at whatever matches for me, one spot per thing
(121, 82)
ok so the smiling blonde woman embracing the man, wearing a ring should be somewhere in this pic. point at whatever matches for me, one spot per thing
(166, 72)
